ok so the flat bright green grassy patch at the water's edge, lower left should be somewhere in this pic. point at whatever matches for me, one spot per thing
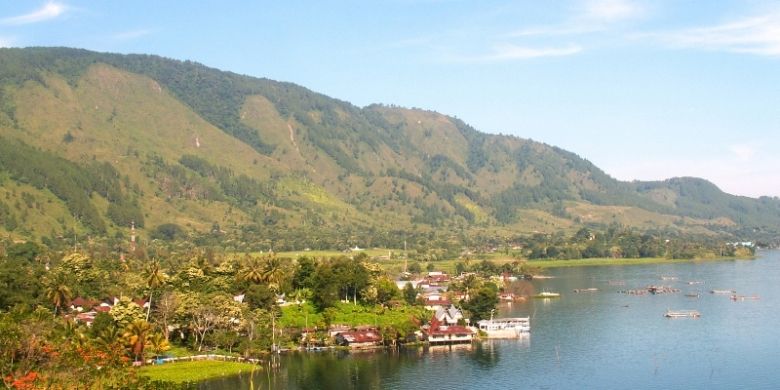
(181, 372)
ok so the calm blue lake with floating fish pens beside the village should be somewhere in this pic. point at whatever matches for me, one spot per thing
(601, 340)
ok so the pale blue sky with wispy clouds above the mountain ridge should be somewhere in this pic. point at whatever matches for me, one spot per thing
(644, 89)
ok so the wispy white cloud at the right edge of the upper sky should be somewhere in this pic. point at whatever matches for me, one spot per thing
(759, 35)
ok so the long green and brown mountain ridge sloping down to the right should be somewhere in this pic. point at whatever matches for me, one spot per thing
(92, 142)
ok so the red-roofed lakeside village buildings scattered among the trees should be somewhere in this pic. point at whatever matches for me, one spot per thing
(440, 294)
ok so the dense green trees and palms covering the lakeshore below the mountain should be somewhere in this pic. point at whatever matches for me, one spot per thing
(108, 306)
